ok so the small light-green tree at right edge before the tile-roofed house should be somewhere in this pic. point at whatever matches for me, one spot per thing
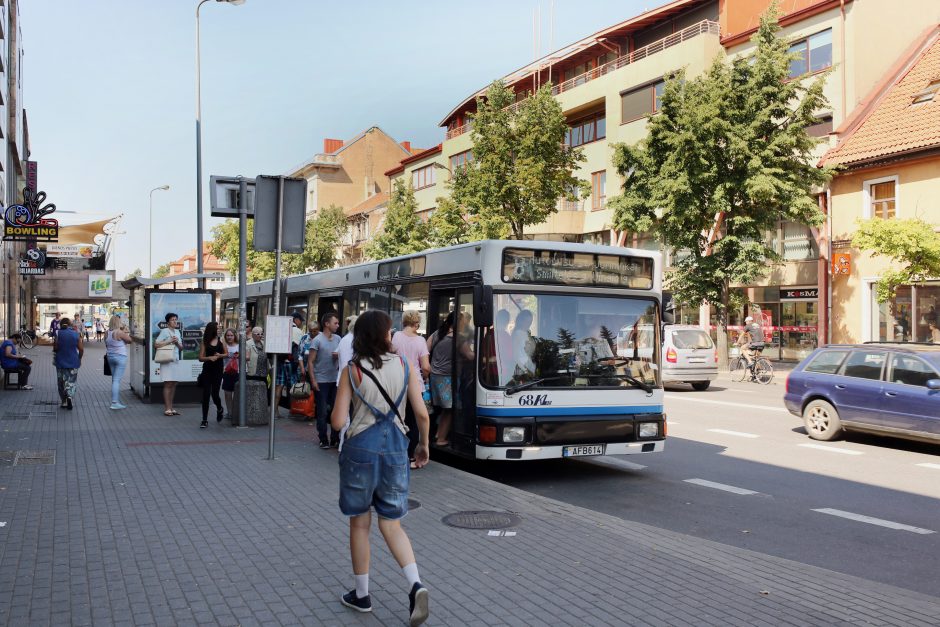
(913, 245)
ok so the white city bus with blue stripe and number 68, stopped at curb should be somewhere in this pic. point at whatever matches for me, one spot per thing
(557, 345)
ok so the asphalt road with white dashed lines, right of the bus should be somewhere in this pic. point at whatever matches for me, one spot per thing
(739, 469)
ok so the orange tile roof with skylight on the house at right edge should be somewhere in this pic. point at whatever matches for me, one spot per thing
(892, 125)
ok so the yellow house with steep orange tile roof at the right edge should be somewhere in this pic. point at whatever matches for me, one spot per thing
(889, 159)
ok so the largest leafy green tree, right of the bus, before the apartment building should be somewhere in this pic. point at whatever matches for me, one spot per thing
(725, 160)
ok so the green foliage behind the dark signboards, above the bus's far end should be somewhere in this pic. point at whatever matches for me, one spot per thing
(323, 236)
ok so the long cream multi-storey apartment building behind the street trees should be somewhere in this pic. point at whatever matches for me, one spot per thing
(610, 82)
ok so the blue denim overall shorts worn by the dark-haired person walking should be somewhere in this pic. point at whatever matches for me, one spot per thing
(373, 464)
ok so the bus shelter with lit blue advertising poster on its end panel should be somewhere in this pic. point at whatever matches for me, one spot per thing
(150, 301)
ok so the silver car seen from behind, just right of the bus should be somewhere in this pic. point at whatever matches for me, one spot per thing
(689, 356)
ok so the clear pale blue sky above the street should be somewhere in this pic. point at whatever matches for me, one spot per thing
(109, 88)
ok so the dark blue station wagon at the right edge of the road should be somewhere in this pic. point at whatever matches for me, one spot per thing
(885, 388)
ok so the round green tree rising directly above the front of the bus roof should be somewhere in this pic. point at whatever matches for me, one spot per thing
(521, 165)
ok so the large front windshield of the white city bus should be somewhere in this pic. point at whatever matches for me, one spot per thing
(571, 341)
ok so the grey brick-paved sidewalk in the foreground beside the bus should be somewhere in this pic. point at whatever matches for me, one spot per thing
(144, 519)
